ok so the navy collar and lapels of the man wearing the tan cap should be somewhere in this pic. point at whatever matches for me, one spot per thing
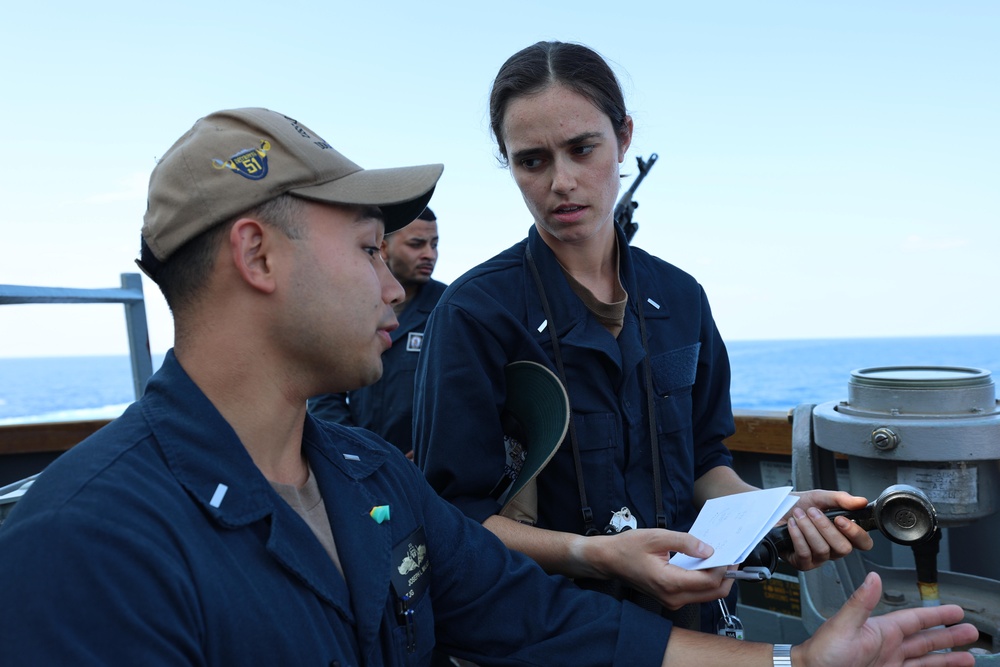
(208, 459)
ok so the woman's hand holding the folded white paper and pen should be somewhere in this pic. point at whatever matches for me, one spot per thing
(641, 558)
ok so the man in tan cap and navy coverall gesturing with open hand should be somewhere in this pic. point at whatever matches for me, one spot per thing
(216, 523)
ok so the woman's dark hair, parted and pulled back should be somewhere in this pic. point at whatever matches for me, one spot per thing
(540, 65)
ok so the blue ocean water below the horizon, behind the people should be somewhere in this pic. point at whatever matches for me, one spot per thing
(767, 375)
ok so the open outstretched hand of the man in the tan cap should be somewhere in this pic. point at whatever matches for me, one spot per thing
(904, 637)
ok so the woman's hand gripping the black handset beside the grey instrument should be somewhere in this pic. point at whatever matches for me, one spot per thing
(815, 538)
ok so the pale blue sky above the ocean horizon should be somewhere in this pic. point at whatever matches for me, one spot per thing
(826, 169)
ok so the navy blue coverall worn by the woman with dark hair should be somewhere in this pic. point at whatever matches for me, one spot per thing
(493, 315)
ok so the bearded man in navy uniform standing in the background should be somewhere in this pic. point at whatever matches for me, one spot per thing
(386, 407)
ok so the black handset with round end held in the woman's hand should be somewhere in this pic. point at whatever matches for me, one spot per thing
(903, 513)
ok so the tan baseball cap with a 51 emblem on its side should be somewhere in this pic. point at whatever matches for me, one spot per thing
(233, 160)
